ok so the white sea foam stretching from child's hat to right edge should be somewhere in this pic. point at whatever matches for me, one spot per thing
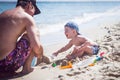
(91, 16)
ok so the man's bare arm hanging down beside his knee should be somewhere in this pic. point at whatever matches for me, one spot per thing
(33, 37)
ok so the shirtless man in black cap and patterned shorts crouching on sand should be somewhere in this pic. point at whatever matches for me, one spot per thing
(19, 41)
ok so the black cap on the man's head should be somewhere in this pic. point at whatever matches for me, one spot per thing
(23, 3)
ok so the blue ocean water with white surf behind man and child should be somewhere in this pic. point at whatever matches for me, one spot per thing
(54, 15)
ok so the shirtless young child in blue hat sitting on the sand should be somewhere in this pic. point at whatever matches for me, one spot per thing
(82, 44)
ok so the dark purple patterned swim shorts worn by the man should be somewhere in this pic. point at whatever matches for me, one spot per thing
(16, 58)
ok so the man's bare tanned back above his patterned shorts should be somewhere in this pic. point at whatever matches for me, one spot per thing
(12, 24)
